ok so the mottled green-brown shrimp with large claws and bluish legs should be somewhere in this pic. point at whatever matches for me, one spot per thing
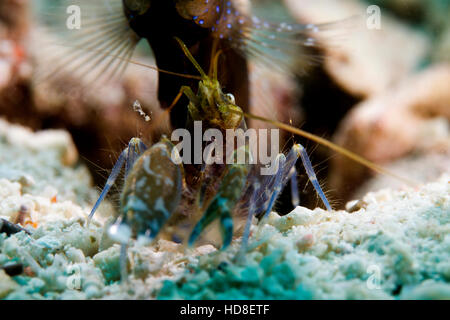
(153, 181)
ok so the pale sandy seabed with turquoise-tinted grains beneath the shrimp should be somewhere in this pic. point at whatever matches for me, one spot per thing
(393, 244)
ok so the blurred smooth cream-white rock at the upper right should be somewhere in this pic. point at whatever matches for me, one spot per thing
(364, 62)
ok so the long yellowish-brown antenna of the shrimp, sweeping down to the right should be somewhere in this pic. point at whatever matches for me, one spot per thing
(341, 150)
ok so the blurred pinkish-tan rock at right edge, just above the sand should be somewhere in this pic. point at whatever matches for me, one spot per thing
(409, 120)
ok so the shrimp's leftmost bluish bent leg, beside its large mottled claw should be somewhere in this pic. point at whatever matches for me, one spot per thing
(127, 156)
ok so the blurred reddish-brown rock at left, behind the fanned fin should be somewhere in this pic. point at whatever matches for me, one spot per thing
(101, 119)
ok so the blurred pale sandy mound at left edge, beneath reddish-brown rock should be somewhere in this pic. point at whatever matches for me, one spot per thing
(42, 164)
